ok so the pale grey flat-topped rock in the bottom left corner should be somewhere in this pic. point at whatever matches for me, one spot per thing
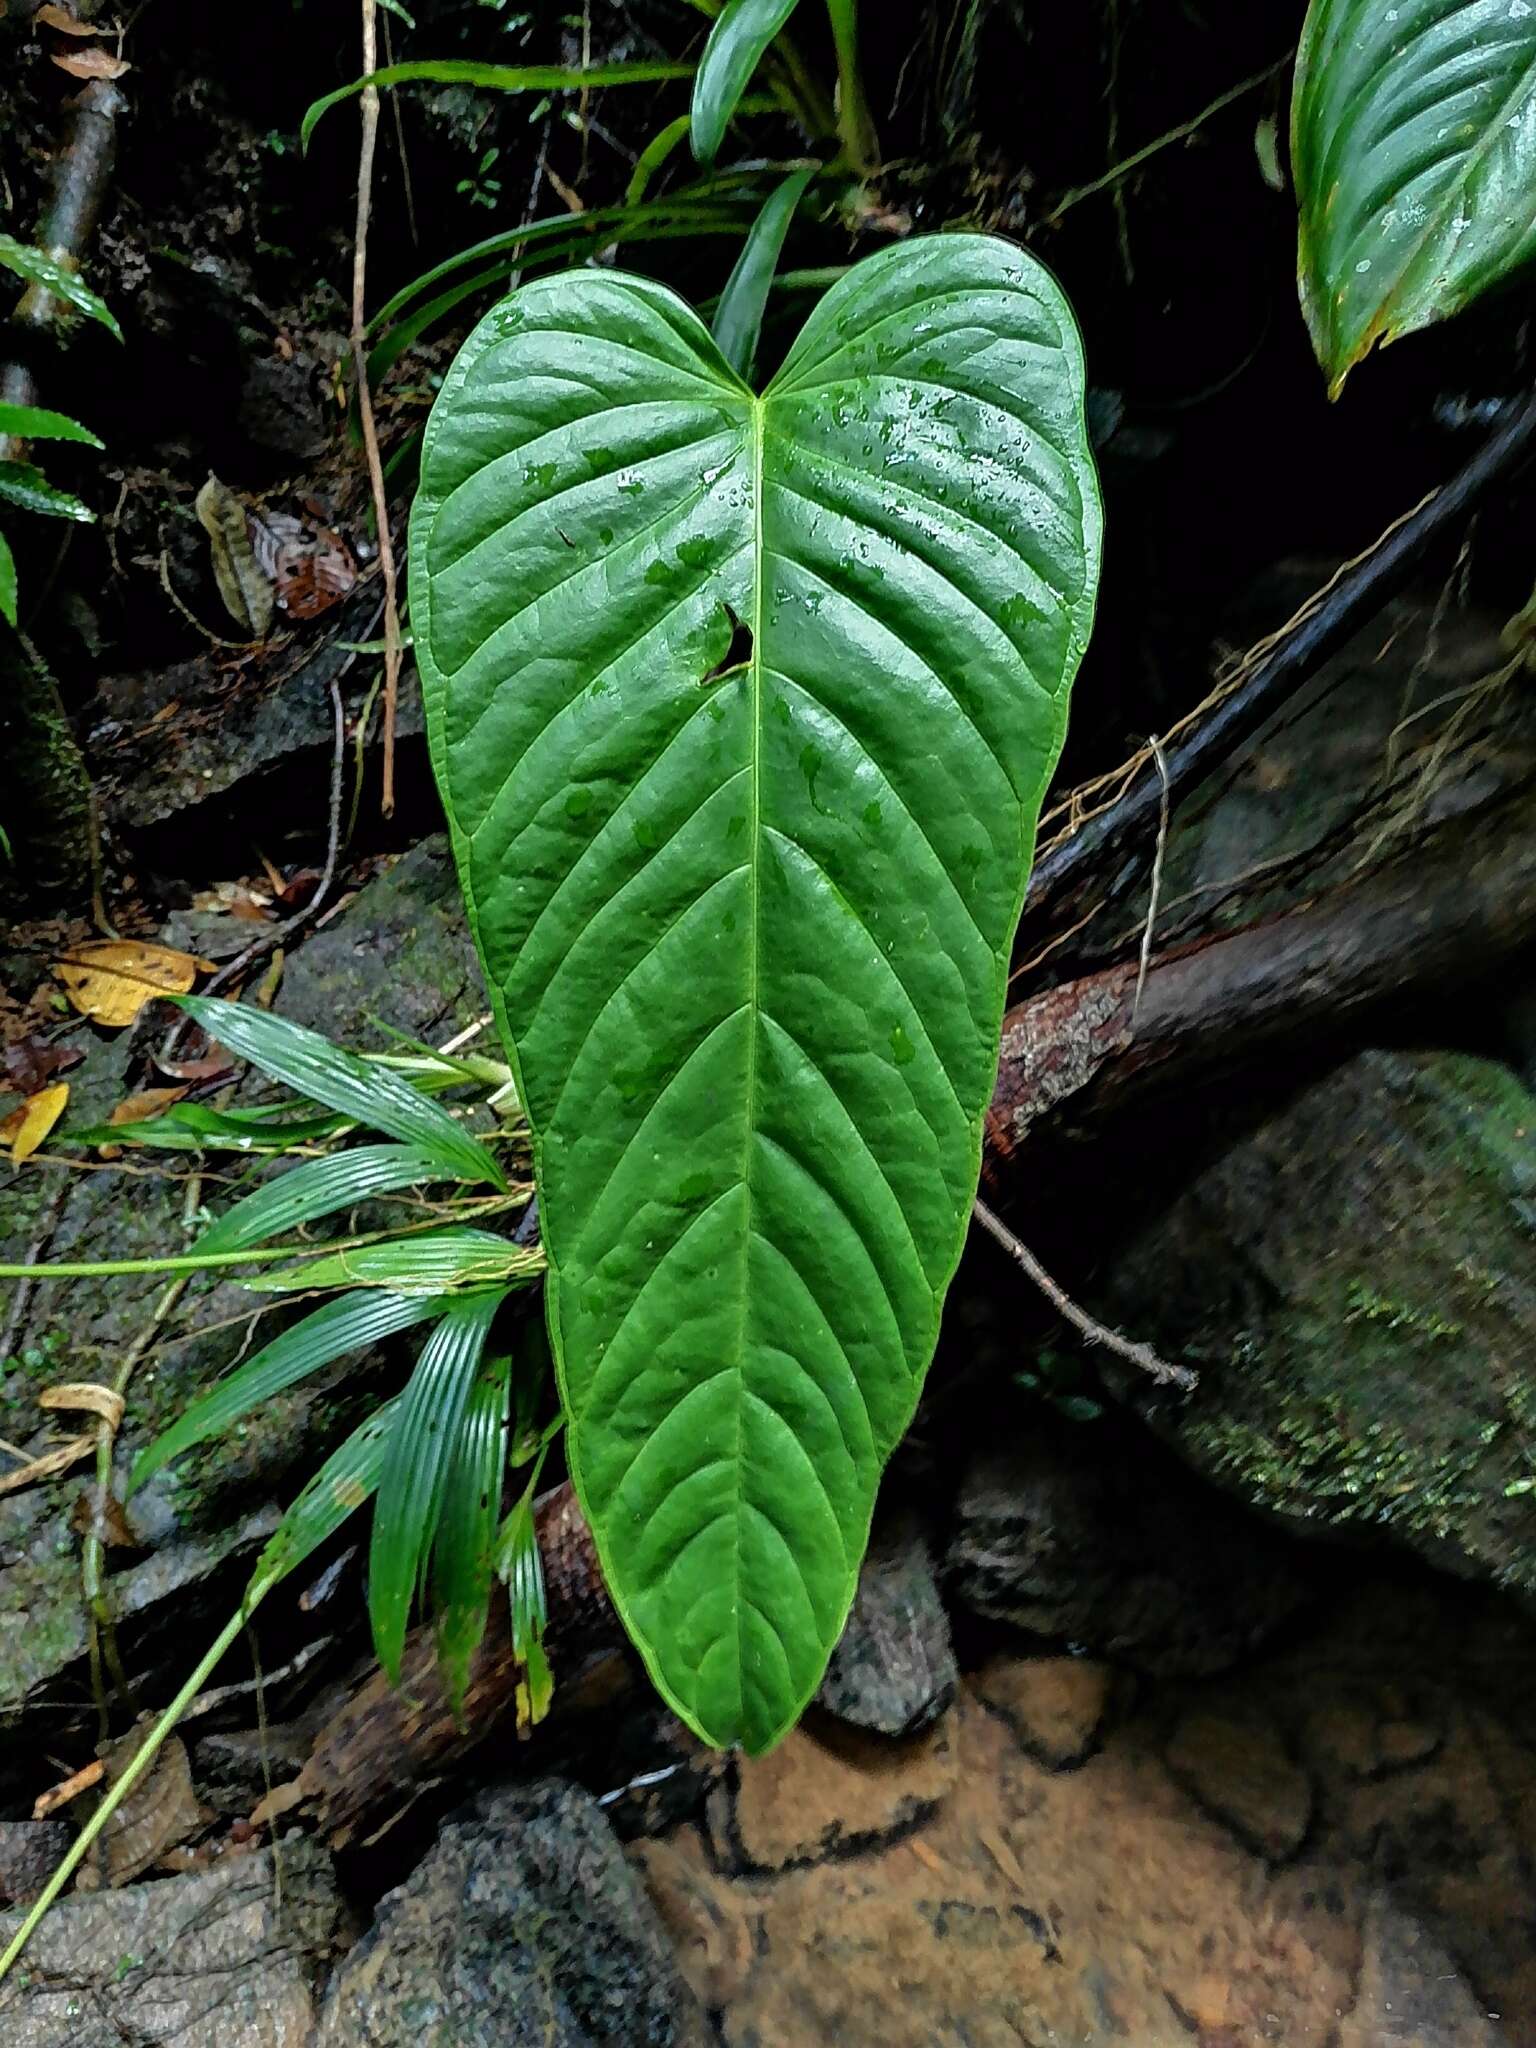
(224, 1959)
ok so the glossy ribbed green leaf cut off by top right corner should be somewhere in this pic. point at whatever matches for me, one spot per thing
(1414, 144)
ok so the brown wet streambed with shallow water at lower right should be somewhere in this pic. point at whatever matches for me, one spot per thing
(1228, 1863)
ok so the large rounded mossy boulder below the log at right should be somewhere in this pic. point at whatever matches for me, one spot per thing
(1355, 1281)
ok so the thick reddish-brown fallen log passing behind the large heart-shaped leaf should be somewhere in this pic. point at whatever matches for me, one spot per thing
(1445, 912)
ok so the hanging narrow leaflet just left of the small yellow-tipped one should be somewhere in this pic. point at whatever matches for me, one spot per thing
(464, 1555)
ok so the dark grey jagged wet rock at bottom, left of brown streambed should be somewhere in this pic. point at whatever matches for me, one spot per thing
(521, 1930)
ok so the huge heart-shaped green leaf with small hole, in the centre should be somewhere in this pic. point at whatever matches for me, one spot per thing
(742, 710)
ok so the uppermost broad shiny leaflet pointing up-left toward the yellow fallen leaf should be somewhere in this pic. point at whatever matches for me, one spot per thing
(345, 1082)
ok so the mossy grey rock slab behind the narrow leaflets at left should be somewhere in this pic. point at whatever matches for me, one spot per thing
(400, 955)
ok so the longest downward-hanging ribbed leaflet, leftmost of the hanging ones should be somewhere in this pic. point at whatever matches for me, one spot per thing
(421, 1445)
